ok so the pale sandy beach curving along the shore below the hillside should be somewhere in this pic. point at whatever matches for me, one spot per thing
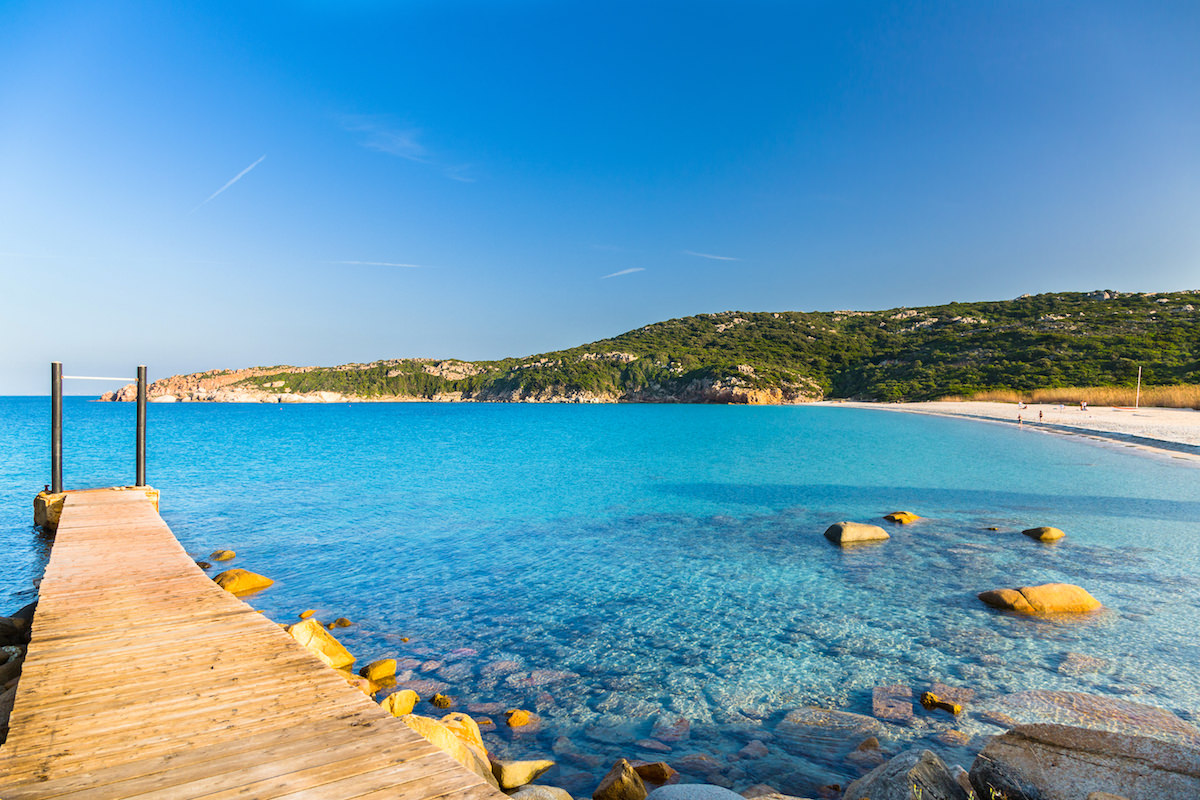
(1171, 430)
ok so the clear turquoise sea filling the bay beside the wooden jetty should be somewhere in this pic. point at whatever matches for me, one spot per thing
(616, 569)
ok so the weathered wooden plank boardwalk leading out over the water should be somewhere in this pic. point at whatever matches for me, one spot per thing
(147, 681)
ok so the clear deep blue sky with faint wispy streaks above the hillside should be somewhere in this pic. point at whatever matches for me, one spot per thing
(225, 185)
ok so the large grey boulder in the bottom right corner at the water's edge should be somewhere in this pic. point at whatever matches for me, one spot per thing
(1054, 762)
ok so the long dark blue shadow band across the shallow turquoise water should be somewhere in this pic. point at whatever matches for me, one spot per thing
(890, 498)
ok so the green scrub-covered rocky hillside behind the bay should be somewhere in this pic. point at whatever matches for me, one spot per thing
(1033, 342)
